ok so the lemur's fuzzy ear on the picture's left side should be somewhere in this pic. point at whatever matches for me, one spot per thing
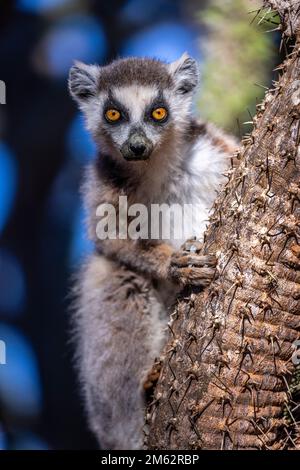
(83, 81)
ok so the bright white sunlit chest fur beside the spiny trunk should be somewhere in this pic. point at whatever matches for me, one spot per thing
(192, 186)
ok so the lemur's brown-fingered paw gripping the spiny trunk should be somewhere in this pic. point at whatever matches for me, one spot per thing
(189, 267)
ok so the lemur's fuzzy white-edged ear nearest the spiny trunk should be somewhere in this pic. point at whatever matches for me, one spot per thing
(185, 72)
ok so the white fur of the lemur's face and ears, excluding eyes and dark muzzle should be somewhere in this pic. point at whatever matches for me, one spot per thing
(137, 98)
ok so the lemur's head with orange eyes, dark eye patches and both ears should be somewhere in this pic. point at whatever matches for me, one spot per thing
(133, 106)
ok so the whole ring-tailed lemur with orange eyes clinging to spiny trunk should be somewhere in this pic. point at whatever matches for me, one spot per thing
(153, 151)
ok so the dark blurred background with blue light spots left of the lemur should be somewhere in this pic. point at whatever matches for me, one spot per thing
(43, 148)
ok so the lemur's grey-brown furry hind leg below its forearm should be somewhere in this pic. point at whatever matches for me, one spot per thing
(116, 349)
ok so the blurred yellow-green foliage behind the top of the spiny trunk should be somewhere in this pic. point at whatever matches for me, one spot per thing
(238, 54)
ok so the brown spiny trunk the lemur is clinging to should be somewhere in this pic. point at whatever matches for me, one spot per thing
(228, 380)
